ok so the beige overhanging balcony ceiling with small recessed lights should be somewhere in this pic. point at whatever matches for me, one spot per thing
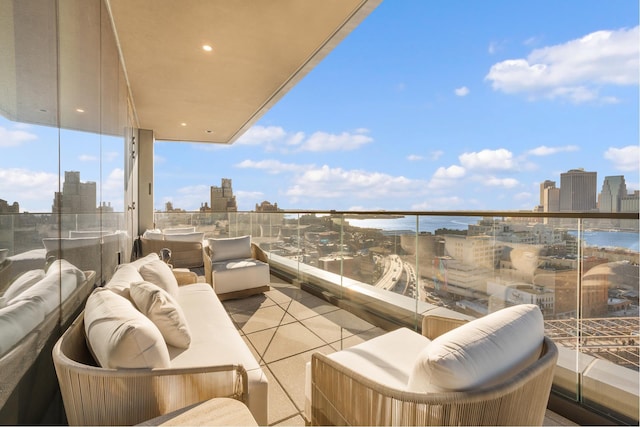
(261, 49)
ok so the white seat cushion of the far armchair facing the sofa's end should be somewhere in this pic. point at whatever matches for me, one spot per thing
(239, 274)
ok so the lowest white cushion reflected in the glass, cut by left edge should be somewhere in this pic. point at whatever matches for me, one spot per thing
(17, 320)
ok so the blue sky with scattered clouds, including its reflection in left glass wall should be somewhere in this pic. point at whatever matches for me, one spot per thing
(427, 105)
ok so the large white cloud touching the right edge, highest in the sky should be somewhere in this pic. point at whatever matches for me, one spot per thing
(574, 70)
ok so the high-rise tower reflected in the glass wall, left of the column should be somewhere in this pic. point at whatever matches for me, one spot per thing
(76, 197)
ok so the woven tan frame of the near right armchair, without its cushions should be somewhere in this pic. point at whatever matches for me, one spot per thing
(341, 396)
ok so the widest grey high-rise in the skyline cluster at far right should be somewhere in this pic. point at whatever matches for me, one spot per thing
(578, 190)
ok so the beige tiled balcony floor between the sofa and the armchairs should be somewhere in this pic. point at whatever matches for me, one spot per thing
(283, 327)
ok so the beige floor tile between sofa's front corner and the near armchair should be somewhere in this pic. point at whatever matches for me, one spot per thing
(291, 373)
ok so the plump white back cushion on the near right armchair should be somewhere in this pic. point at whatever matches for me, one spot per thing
(481, 352)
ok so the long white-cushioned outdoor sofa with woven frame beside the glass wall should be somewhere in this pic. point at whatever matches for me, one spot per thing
(190, 353)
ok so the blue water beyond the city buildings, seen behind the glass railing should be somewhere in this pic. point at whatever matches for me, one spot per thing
(609, 239)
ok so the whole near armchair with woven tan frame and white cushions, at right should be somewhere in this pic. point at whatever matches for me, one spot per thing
(496, 370)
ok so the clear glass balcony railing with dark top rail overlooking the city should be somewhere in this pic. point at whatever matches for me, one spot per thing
(396, 267)
